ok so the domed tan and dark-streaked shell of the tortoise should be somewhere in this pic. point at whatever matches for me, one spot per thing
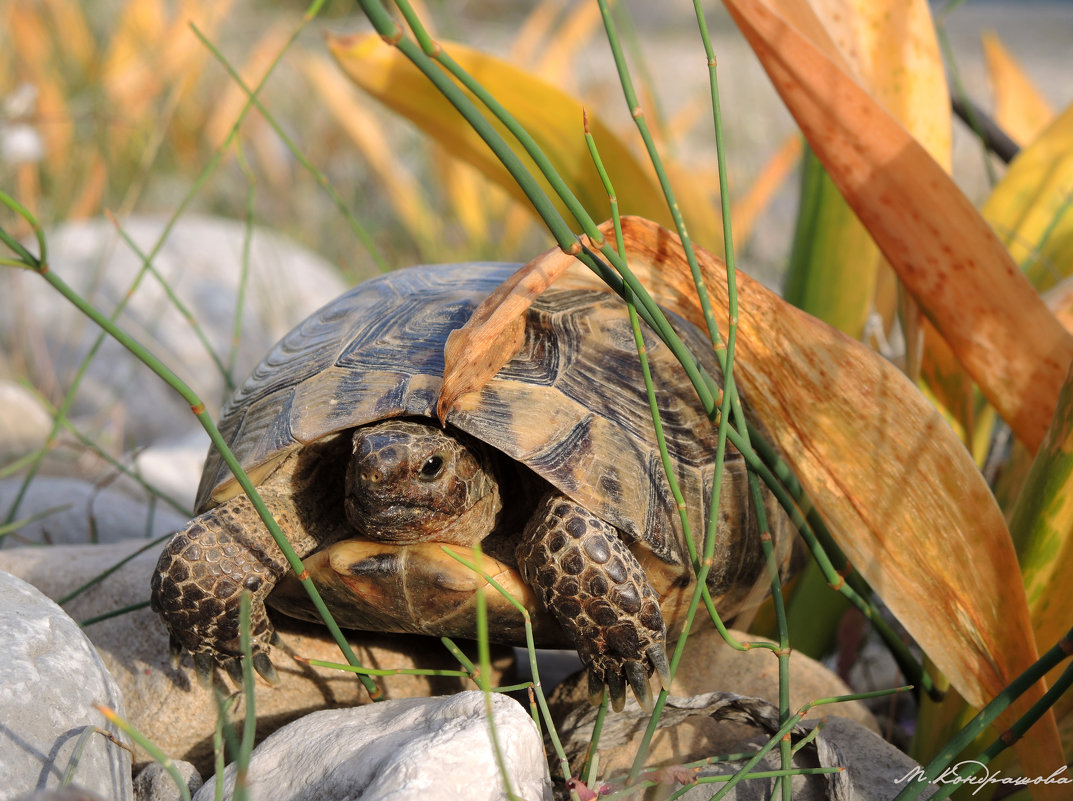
(571, 406)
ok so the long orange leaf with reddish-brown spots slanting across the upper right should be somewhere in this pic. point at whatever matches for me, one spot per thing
(944, 251)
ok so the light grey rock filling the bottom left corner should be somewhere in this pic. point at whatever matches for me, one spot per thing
(51, 679)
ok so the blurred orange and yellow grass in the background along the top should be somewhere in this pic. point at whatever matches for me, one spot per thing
(117, 107)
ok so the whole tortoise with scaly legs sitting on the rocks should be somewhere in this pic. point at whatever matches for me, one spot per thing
(553, 466)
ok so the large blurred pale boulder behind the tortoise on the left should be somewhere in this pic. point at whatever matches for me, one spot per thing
(202, 263)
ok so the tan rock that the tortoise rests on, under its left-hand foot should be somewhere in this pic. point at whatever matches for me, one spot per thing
(168, 705)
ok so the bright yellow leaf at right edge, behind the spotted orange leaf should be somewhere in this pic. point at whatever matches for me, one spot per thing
(1032, 209)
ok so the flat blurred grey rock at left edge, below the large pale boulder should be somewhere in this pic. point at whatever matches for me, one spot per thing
(72, 511)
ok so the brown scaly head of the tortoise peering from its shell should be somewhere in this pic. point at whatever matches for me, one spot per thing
(408, 482)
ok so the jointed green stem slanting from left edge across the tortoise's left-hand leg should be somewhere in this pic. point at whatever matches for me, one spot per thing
(41, 268)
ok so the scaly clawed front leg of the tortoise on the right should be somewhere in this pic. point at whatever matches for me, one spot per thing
(597, 589)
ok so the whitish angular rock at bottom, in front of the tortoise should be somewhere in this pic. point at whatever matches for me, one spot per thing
(429, 749)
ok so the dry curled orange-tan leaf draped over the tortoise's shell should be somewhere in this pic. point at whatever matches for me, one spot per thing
(898, 489)
